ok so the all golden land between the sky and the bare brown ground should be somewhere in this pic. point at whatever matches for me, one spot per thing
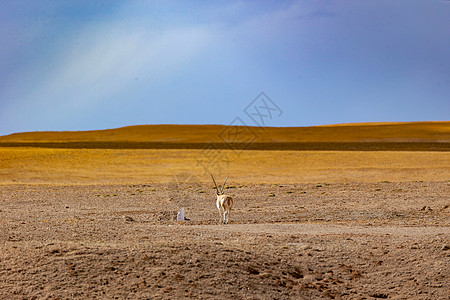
(159, 153)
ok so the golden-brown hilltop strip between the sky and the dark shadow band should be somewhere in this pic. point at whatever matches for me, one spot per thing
(364, 132)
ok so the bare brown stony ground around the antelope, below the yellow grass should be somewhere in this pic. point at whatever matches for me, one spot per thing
(285, 241)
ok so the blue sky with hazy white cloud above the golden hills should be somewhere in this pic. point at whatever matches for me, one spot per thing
(84, 65)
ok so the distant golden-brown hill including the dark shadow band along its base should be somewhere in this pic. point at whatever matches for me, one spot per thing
(363, 136)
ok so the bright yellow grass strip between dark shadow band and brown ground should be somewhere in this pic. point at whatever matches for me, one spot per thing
(103, 166)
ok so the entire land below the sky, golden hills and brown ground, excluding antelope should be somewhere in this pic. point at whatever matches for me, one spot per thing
(352, 211)
